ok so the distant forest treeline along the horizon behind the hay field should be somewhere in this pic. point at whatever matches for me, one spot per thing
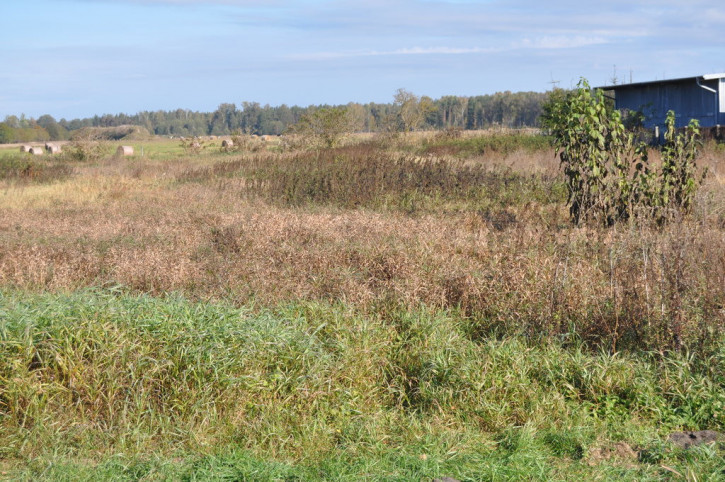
(508, 109)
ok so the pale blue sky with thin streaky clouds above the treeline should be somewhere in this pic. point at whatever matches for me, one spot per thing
(79, 58)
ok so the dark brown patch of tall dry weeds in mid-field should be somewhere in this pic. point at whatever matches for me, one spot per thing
(363, 176)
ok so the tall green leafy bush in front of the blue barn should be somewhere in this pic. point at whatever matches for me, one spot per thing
(608, 174)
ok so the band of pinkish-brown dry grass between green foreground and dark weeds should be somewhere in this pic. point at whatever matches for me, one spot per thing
(514, 268)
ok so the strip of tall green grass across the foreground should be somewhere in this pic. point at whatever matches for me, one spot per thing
(100, 384)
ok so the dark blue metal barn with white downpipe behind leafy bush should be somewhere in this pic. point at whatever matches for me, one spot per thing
(701, 98)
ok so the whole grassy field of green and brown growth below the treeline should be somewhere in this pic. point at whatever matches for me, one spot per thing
(379, 311)
